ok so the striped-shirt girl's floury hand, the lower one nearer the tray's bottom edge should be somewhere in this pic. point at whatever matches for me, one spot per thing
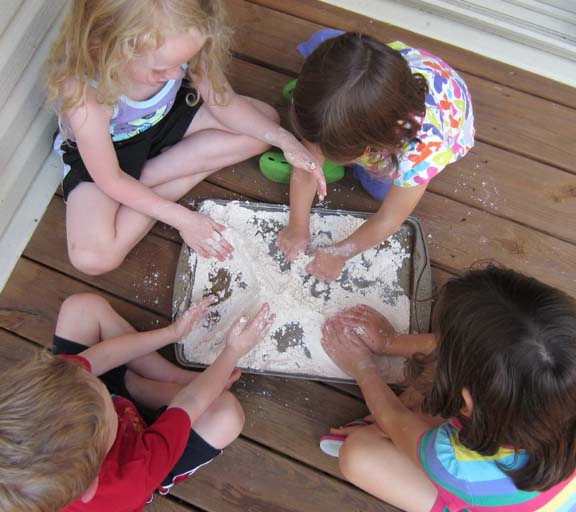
(345, 348)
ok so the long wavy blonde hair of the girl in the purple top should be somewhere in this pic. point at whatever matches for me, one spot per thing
(98, 38)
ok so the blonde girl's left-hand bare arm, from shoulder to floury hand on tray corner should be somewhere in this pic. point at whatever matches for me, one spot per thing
(90, 125)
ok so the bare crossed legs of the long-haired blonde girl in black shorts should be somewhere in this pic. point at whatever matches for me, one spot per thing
(98, 243)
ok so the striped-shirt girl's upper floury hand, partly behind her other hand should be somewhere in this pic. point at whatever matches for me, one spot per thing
(372, 328)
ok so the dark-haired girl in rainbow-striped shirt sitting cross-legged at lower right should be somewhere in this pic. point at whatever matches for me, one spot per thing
(504, 383)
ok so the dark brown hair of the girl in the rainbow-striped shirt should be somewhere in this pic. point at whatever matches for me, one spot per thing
(511, 341)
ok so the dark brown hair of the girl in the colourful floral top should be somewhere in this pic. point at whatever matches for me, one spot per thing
(354, 92)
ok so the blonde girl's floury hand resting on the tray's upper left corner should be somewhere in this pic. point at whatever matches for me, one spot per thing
(204, 236)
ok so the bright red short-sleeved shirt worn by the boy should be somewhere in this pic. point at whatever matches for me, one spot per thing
(139, 459)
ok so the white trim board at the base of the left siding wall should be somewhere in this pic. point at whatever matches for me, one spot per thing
(28, 215)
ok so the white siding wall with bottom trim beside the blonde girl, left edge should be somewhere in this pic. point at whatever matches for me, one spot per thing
(28, 174)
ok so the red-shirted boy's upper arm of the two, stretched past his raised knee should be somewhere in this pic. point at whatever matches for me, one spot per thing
(114, 352)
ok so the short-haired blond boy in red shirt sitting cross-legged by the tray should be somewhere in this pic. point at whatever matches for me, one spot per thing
(68, 444)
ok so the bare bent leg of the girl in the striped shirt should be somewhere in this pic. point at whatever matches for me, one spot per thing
(370, 461)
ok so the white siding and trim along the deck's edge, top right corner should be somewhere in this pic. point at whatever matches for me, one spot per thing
(535, 35)
